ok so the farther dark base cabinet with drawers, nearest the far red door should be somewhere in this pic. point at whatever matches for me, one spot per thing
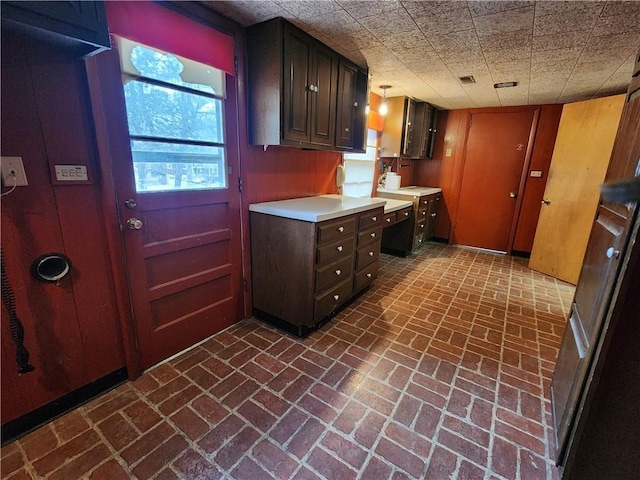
(407, 237)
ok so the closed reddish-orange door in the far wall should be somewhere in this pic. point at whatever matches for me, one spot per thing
(497, 146)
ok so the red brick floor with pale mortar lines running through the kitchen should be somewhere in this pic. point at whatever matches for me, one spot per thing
(441, 370)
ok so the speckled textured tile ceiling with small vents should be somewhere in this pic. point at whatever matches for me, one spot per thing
(557, 51)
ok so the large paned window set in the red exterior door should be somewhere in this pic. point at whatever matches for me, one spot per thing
(175, 112)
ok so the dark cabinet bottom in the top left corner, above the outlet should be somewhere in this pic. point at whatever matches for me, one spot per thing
(80, 26)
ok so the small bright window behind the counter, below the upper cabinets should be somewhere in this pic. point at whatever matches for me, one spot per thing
(360, 169)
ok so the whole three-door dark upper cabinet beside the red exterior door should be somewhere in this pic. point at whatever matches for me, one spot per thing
(295, 90)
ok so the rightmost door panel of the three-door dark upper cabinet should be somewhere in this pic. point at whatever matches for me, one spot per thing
(345, 114)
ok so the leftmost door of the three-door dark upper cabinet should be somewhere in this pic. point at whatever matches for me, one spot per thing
(296, 87)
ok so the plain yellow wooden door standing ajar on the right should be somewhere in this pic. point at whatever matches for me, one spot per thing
(580, 158)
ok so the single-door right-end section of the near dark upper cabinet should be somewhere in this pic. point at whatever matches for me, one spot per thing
(351, 119)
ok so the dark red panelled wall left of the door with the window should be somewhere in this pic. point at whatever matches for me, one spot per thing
(71, 329)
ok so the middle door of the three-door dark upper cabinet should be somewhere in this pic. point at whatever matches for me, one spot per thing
(324, 73)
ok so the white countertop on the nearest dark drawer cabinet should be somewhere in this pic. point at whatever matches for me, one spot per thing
(317, 209)
